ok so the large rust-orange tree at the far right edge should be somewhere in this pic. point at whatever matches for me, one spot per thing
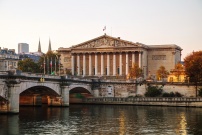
(193, 67)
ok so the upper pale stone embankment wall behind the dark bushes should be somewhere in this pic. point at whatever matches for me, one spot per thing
(132, 90)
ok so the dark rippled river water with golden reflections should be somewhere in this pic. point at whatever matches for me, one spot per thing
(103, 120)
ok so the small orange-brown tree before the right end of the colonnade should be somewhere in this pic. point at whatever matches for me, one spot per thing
(135, 71)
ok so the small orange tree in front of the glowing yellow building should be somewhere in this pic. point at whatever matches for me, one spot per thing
(179, 70)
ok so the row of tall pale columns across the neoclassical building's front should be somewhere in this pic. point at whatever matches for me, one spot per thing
(104, 63)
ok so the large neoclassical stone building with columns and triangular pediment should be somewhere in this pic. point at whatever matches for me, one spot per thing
(111, 56)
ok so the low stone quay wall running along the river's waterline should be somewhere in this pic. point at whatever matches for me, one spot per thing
(147, 101)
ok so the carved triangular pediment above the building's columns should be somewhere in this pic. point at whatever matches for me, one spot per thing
(106, 41)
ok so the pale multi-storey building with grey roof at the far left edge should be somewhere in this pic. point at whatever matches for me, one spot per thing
(8, 59)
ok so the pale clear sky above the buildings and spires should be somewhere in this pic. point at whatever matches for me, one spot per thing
(70, 22)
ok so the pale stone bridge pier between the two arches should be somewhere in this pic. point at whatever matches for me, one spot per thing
(65, 96)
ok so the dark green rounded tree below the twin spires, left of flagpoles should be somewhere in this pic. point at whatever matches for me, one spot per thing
(28, 65)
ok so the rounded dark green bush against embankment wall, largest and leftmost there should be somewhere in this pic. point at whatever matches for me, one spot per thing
(153, 91)
